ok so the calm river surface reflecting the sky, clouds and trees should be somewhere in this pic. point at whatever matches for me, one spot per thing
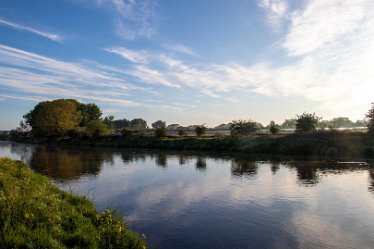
(202, 201)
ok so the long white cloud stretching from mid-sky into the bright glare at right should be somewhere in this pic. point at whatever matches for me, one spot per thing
(333, 67)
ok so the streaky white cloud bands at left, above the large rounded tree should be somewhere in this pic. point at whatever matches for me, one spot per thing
(36, 75)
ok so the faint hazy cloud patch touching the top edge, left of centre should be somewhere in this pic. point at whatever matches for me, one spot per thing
(132, 18)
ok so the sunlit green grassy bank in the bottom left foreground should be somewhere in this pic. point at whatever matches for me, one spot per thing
(34, 213)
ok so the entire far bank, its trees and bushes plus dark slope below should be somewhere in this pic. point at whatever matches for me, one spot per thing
(68, 122)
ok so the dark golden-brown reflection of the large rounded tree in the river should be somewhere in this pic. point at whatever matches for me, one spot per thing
(62, 164)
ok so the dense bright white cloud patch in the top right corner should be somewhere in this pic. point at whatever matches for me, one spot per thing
(326, 24)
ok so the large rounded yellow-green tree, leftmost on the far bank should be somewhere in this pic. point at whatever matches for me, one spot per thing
(54, 118)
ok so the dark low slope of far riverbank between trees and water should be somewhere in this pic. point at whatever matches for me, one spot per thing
(321, 143)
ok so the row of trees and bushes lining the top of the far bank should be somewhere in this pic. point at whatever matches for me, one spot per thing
(69, 117)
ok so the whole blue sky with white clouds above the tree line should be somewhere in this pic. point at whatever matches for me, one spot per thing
(189, 62)
